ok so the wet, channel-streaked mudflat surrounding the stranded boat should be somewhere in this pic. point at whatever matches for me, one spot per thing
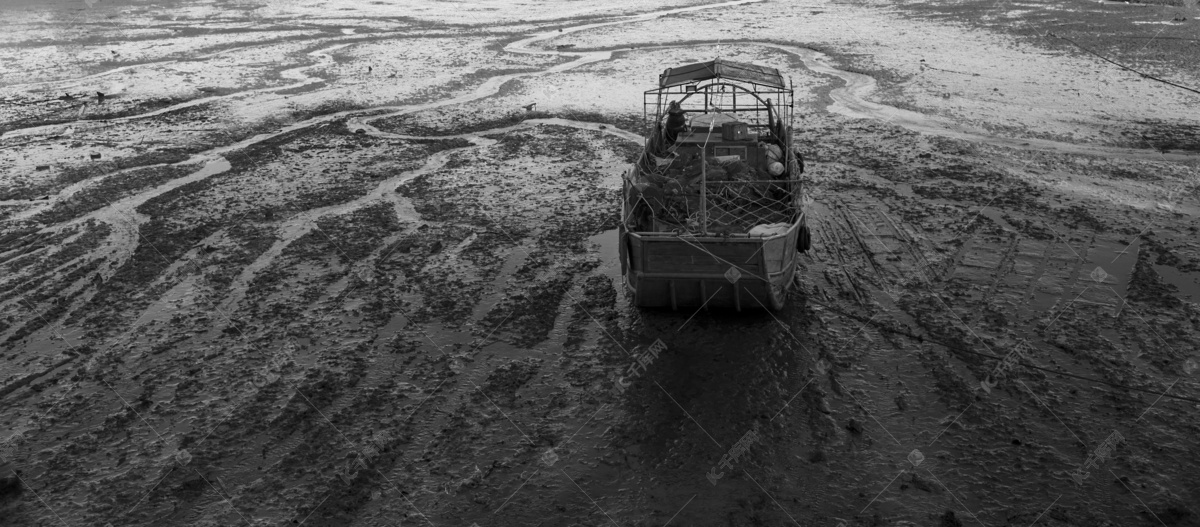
(343, 273)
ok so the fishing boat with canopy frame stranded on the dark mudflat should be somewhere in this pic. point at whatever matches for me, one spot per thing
(712, 211)
